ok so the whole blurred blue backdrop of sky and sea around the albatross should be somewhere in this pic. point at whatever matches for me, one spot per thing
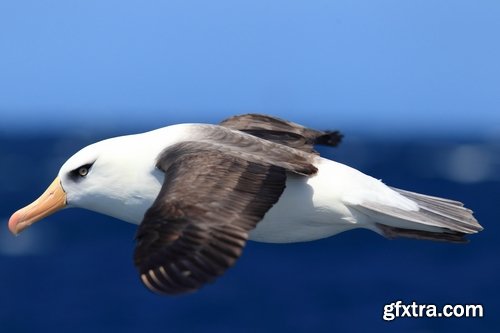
(414, 86)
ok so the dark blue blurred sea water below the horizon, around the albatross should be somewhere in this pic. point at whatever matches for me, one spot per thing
(74, 272)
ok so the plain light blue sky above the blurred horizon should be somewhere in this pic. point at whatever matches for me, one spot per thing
(378, 66)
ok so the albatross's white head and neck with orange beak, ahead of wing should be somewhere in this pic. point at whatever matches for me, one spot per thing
(115, 177)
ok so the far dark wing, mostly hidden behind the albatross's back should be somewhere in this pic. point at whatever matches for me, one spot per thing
(282, 131)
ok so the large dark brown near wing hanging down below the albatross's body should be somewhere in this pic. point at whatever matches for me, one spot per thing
(212, 196)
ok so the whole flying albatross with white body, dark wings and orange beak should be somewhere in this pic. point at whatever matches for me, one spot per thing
(199, 191)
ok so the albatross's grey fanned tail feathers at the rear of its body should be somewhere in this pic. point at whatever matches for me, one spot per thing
(436, 219)
